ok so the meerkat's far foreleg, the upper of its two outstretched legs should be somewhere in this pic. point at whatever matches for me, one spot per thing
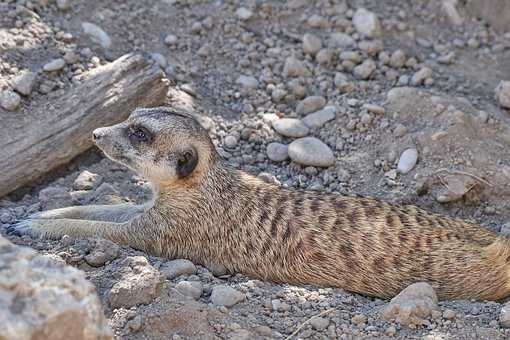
(109, 213)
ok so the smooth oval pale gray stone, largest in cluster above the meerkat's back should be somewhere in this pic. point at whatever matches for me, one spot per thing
(311, 151)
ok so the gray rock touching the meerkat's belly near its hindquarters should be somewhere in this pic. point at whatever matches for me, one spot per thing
(413, 305)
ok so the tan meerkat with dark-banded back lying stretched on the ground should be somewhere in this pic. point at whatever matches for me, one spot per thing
(207, 212)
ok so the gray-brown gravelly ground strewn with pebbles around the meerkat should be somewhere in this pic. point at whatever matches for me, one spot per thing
(382, 98)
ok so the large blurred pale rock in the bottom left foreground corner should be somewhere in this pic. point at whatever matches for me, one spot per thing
(43, 299)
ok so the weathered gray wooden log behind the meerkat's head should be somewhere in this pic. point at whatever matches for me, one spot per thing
(37, 140)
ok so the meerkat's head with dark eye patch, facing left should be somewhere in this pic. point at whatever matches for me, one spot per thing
(162, 144)
